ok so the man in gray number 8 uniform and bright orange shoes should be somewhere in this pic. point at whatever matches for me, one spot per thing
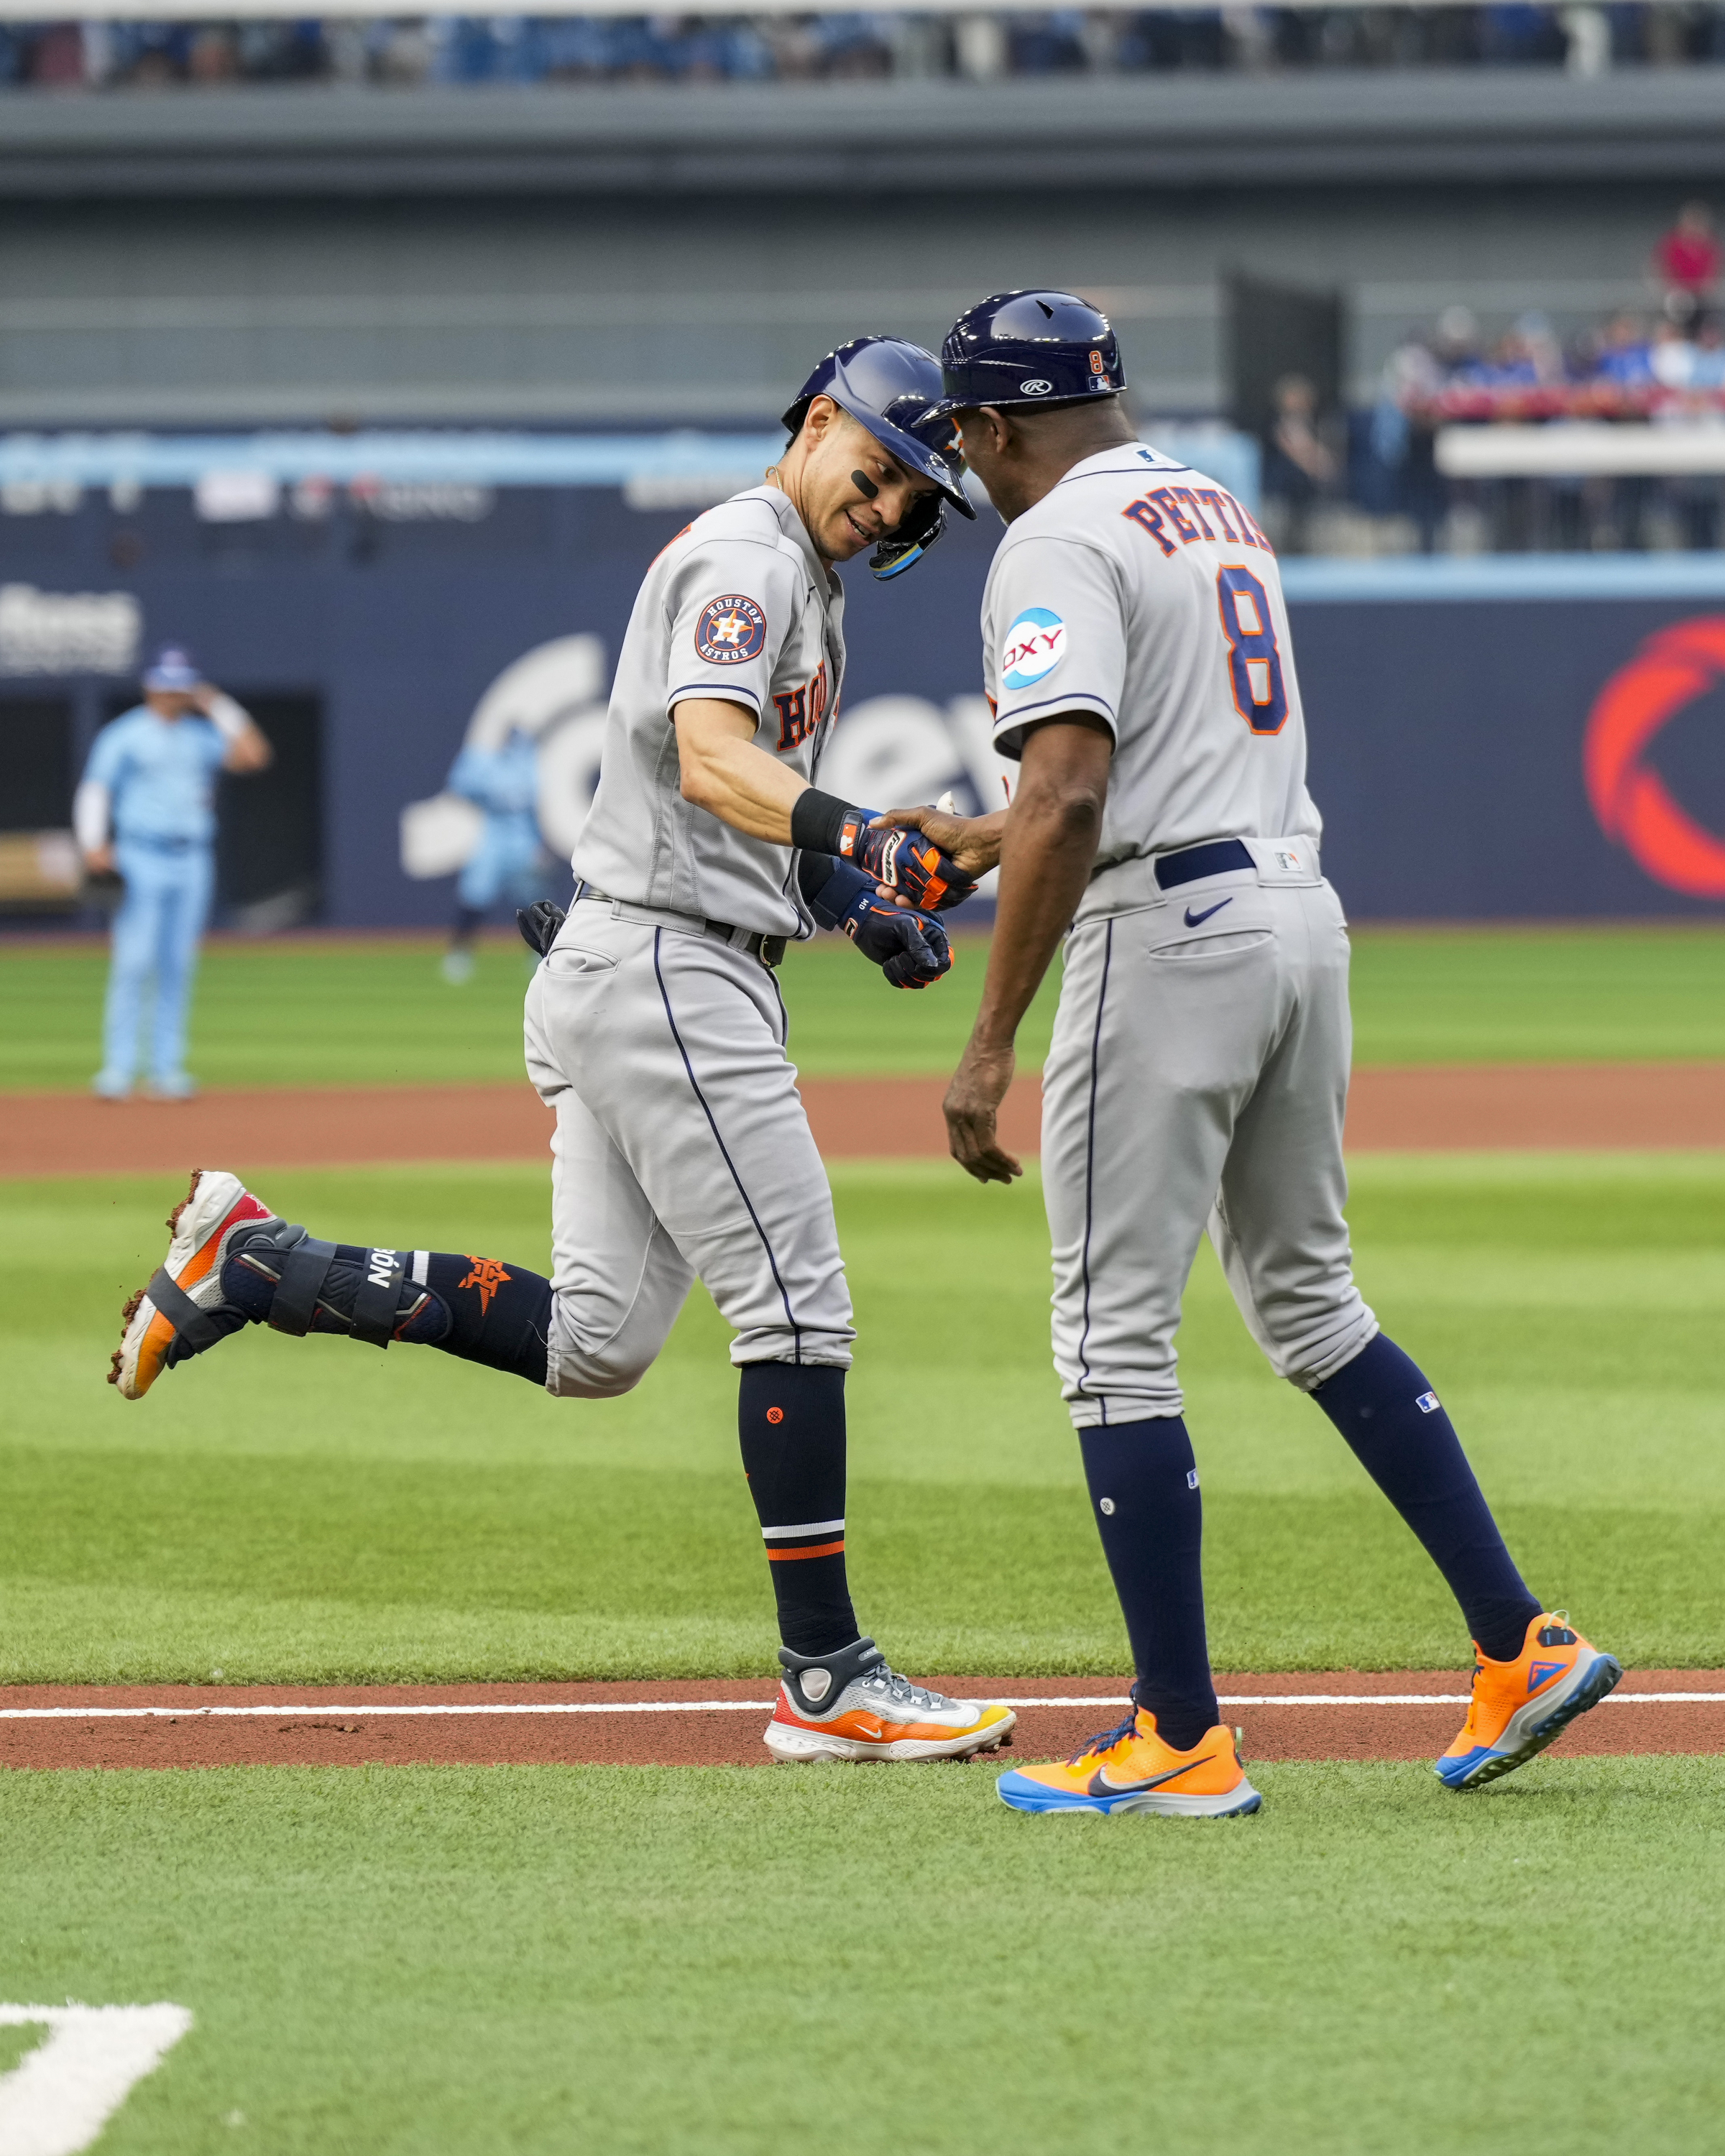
(1142, 672)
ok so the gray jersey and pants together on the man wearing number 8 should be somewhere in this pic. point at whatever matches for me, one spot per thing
(1200, 1062)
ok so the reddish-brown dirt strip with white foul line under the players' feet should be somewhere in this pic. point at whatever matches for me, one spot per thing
(1400, 1715)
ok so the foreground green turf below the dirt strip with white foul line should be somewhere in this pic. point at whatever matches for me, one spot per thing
(728, 1963)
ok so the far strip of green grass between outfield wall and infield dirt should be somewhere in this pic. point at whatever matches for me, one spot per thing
(355, 1014)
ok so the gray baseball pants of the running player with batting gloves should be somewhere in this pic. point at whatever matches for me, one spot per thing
(682, 1152)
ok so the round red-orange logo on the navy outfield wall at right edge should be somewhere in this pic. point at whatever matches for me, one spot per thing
(1631, 801)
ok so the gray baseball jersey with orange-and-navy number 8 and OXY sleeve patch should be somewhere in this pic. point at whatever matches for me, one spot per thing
(1144, 594)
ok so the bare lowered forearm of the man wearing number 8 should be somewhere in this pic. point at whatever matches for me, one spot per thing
(1047, 859)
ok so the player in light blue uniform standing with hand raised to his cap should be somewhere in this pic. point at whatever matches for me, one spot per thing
(148, 807)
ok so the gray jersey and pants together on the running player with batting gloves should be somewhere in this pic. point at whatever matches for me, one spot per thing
(682, 1148)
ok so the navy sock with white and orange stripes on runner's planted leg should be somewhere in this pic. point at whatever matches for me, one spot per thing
(792, 1428)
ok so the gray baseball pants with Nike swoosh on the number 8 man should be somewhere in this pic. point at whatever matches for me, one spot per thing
(1200, 1079)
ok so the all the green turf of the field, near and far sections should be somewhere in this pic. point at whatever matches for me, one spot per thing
(672, 1963)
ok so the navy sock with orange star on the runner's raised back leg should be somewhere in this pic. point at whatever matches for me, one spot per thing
(467, 1305)
